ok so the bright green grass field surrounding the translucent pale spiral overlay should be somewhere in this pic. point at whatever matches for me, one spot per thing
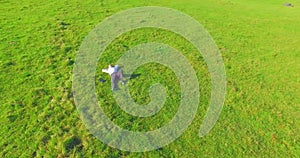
(259, 42)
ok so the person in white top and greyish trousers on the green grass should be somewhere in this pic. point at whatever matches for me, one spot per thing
(116, 75)
